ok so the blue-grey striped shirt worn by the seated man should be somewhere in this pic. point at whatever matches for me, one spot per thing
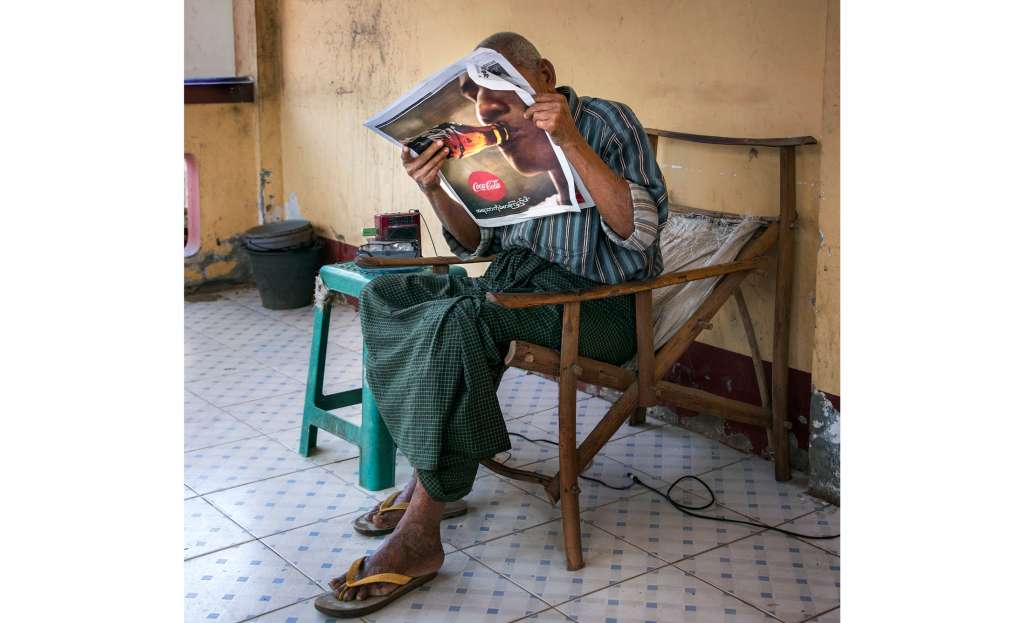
(582, 242)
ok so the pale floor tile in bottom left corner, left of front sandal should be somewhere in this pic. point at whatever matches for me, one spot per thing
(241, 583)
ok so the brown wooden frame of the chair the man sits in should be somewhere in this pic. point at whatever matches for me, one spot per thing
(645, 388)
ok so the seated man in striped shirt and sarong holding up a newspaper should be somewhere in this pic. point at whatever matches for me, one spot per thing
(436, 347)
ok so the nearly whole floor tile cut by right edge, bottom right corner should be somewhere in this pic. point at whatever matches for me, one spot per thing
(780, 574)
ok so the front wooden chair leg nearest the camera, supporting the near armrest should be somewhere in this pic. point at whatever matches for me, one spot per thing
(568, 465)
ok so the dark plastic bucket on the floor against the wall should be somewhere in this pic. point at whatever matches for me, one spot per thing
(285, 259)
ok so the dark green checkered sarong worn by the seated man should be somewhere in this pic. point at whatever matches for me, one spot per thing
(435, 356)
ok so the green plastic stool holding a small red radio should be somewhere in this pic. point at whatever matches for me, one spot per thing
(376, 446)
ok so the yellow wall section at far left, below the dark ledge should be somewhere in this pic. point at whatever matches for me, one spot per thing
(223, 138)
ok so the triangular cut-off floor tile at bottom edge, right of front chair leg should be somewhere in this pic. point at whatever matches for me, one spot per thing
(666, 596)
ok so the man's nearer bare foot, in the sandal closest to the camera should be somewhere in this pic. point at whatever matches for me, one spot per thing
(413, 550)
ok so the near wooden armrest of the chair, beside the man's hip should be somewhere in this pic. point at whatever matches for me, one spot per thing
(515, 301)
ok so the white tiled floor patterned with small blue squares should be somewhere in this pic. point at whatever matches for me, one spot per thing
(266, 528)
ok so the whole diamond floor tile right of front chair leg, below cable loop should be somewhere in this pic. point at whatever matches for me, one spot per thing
(655, 526)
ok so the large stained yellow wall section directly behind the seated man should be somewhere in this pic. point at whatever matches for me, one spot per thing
(750, 69)
